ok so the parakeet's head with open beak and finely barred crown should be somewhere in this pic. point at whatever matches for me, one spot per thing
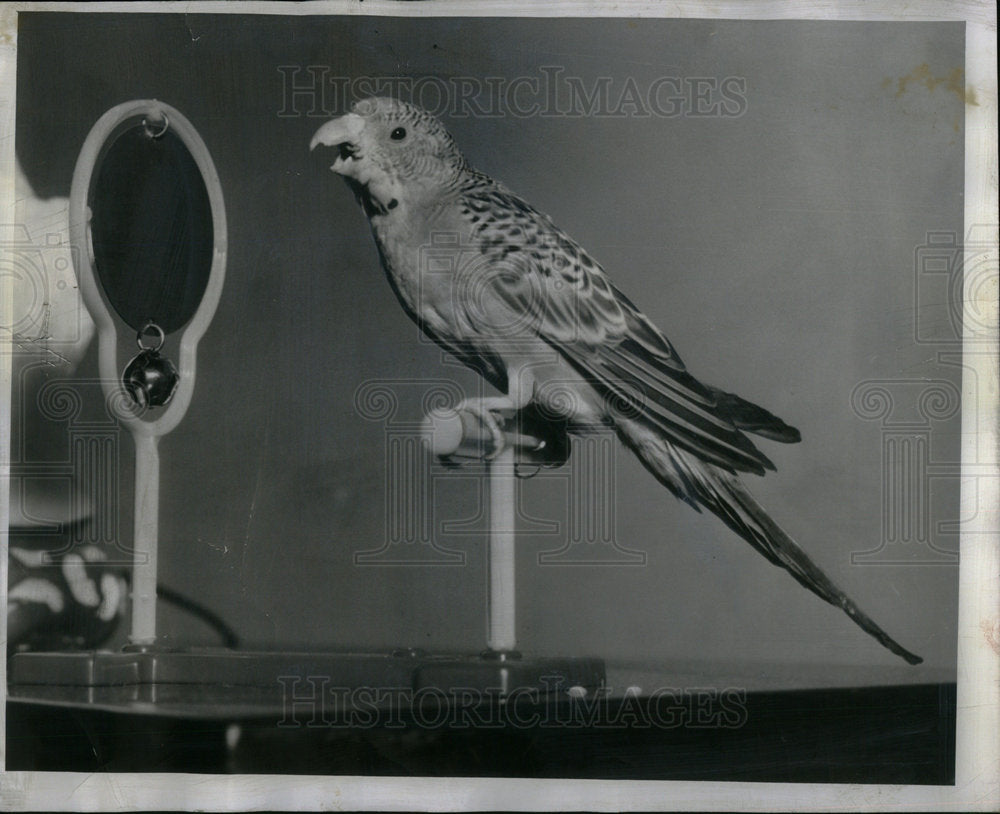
(391, 153)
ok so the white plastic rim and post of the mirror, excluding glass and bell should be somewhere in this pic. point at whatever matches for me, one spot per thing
(146, 432)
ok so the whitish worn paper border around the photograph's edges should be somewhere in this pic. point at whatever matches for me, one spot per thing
(977, 785)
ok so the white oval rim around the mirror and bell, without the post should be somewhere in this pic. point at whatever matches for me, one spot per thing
(99, 141)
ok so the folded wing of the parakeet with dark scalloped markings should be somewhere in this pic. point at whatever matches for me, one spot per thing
(574, 307)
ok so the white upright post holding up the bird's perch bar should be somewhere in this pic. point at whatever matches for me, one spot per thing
(502, 518)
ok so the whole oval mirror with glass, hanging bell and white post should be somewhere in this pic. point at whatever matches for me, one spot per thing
(147, 204)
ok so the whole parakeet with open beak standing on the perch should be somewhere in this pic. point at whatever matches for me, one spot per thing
(521, 303)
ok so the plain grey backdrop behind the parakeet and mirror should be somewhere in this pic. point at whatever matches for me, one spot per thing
(776, 250)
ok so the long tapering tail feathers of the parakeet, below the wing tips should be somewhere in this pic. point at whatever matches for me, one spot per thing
(701, 484)
